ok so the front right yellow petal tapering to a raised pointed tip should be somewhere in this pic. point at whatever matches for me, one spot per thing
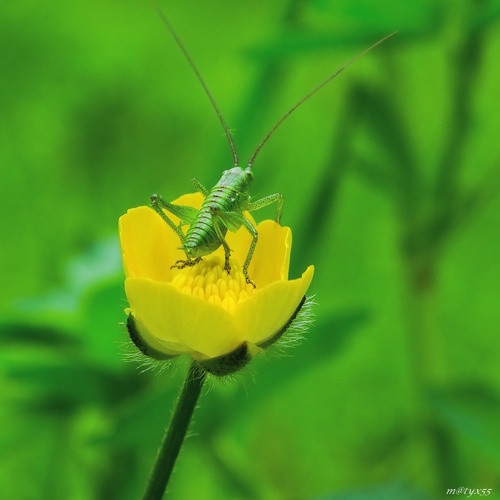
(270, 308)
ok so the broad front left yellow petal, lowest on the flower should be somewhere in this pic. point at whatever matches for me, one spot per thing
(203, 329)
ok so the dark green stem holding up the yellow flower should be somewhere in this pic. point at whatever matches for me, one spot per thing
(175, 433)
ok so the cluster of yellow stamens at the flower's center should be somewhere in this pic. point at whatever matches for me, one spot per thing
(209, 281)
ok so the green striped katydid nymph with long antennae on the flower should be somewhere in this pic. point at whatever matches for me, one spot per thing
(224, 205)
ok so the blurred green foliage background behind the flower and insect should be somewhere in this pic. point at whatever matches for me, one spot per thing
(390, 176)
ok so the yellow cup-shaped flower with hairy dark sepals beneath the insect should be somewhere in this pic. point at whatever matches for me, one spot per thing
(215, 317)
